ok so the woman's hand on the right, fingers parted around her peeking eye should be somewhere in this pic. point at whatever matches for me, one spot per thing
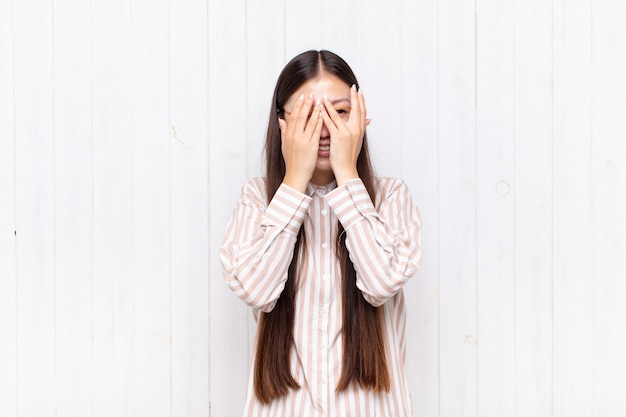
(346, 138)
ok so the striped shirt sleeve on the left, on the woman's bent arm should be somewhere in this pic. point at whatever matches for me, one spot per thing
(258, 244)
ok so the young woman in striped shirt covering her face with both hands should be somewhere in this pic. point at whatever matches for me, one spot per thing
(320, 249)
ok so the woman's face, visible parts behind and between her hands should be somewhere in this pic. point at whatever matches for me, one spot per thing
(338, 93)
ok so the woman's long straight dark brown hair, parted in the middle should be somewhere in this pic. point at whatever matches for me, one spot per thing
(364, 361)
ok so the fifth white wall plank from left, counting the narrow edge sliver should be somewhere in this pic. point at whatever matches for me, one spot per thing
(150, 208)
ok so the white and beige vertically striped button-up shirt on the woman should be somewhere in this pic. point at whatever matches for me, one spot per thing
(384, 245)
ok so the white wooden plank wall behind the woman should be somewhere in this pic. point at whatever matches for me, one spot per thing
(128, 128)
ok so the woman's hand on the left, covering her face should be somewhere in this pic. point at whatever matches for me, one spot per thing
(300, 141)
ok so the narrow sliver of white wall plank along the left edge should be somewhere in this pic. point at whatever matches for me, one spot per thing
(8, 277)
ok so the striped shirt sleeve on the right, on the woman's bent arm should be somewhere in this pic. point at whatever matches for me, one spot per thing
(384, 242)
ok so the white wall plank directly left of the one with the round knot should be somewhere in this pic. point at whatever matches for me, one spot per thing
(457, 209)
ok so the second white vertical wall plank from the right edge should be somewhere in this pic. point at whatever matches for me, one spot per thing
(573, 272)
